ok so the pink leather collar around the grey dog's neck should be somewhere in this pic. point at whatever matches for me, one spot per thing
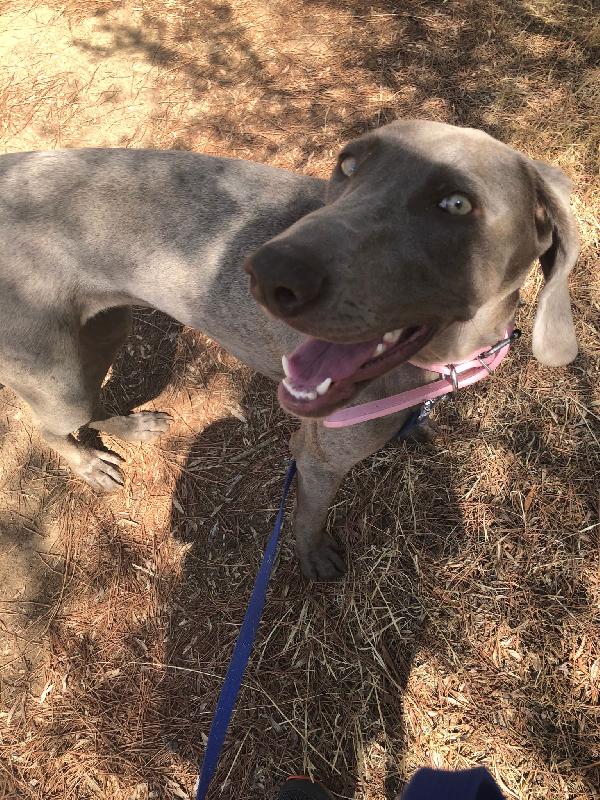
(455, 376)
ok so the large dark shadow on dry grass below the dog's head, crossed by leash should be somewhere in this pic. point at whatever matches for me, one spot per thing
(324, 689)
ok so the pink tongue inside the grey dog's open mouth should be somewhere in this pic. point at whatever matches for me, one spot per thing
(315, 360)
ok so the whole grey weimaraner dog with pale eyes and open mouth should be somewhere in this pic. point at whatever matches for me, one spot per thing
(418, 243)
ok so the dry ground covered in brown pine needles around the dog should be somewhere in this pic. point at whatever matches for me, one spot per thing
(467, 629)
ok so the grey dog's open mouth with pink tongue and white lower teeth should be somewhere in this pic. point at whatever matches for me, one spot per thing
(320, 375)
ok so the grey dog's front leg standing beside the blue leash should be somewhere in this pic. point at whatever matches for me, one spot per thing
(323, 457)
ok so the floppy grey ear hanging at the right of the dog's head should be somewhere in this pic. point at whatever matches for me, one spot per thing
(554, 340)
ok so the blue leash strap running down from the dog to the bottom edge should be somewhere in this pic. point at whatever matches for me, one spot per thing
(241, 651)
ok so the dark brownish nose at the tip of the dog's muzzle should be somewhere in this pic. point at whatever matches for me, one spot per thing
(285, 278)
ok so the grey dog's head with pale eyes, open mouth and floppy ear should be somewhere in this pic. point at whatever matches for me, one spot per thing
(425, 225)
